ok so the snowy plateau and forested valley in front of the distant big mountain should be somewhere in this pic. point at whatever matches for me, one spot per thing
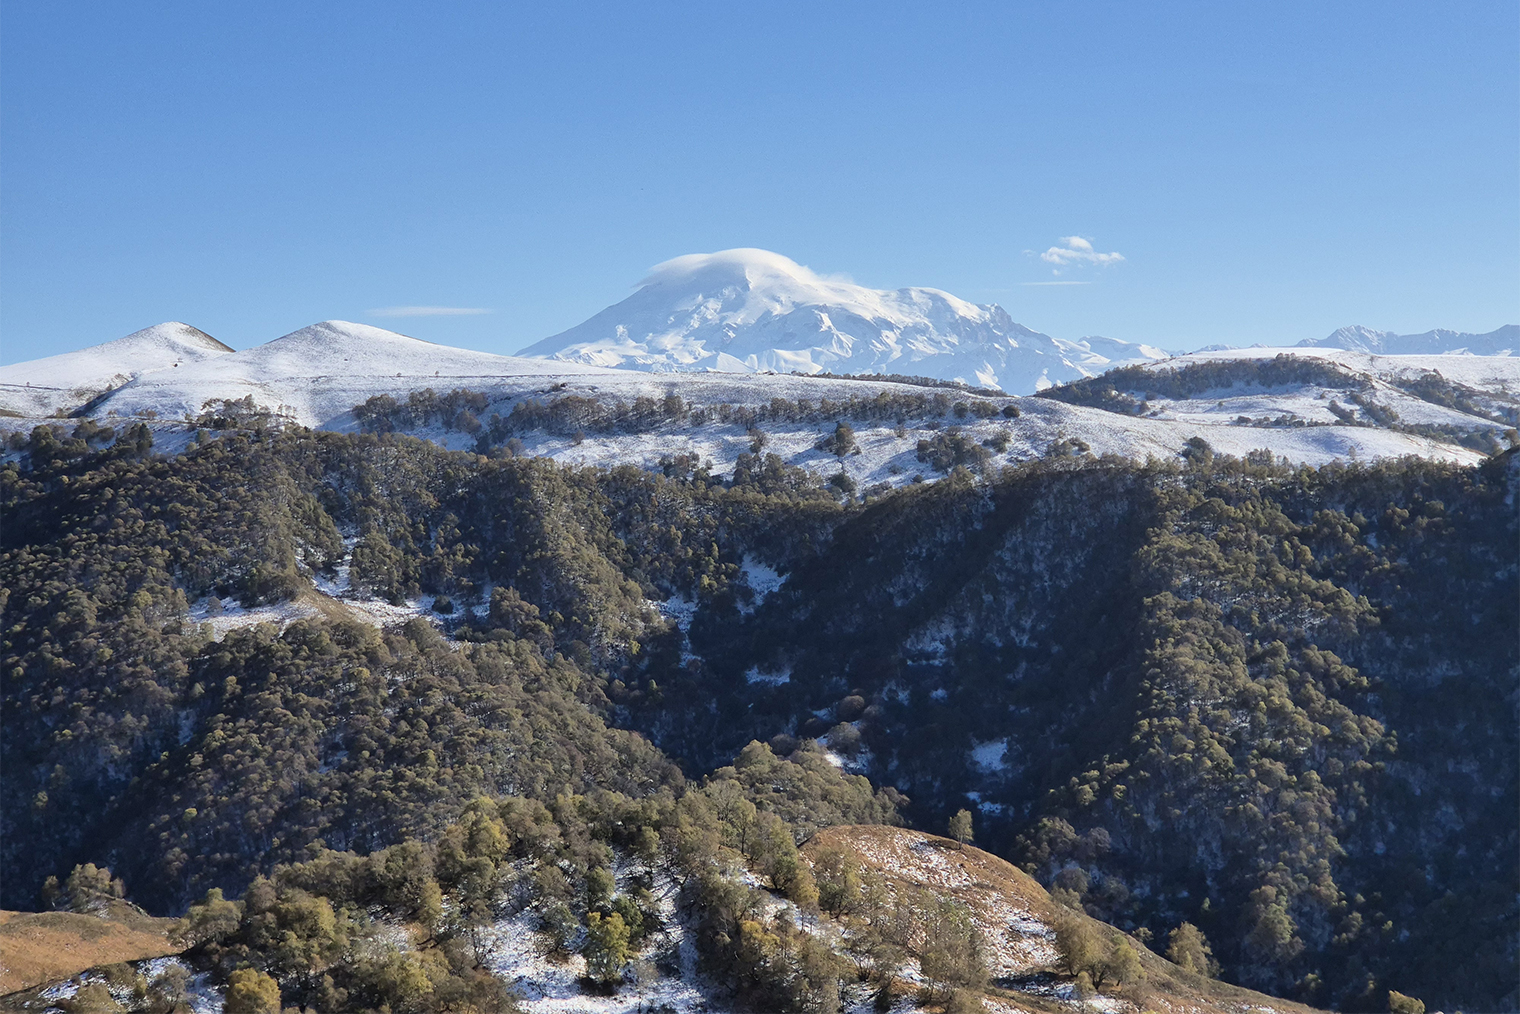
(396, 673)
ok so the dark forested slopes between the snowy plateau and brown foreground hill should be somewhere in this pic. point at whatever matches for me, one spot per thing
(1275, 703)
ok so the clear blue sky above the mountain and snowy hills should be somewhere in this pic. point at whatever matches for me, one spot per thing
(1265, 173)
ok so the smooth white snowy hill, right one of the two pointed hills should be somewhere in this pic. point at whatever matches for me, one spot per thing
(321, 372)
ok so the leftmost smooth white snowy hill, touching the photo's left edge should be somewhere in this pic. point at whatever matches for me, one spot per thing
(43, 387)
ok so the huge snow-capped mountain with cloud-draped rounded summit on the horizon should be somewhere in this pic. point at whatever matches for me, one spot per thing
(750, 311)
